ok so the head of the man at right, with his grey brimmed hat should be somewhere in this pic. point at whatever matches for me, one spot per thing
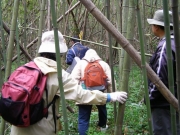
(157, 23)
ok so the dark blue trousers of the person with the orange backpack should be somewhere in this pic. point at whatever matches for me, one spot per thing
(84, 117)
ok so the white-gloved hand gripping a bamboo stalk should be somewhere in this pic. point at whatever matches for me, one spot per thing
(118, 96)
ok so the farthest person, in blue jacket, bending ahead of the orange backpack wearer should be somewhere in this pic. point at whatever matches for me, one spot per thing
(75, 53)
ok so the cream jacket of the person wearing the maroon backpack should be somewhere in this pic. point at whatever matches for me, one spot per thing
(72, 91)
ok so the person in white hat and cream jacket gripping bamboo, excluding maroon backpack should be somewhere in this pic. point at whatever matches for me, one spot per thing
(46, 62)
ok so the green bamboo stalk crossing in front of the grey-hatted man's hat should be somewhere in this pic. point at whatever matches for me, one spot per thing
(169, 63)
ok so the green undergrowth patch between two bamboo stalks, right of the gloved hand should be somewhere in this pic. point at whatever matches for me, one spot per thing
(135, 118)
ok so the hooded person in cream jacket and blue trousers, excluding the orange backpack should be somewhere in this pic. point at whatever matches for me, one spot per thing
(84, 109)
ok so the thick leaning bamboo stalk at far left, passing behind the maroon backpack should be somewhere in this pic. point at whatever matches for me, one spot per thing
(10, 50)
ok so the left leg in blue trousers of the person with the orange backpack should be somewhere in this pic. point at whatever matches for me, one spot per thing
(83, 118)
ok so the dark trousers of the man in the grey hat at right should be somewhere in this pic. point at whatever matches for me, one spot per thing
(161, 120)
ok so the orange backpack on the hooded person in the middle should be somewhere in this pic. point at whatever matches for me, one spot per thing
(94, 77)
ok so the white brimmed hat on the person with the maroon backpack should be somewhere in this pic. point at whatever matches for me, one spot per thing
(48, 43)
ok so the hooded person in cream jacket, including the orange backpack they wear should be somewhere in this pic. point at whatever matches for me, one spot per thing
(92, 73)
